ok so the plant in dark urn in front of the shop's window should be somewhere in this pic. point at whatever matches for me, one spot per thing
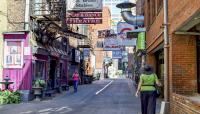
(38, 88)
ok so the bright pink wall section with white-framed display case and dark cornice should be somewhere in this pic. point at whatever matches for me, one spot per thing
(17, 60)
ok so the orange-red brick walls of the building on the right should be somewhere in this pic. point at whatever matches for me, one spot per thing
(182, 54)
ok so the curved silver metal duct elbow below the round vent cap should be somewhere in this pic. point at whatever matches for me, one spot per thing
(132, 19)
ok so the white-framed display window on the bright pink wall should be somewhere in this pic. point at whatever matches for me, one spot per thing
(13, 54)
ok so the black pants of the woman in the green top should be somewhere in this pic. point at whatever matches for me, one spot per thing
(148, 102)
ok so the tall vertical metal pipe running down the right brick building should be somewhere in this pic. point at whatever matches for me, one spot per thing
(166, 52)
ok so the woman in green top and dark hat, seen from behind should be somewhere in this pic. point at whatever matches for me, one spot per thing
(147, 89)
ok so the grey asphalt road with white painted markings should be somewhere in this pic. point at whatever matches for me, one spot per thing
(101, 97)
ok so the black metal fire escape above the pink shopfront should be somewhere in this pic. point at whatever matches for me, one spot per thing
(48, 17)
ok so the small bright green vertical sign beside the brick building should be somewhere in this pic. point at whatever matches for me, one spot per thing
(141, 41)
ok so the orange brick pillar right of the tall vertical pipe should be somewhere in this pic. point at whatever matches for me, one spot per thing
(183, 61)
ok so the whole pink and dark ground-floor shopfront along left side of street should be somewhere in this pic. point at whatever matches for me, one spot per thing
(26, 59)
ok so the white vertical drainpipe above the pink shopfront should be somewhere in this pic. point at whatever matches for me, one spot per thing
(26, 19)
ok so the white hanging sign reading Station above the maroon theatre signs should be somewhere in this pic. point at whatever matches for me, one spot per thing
(84, 5)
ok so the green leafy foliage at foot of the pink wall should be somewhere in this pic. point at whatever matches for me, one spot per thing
(8, 97)
